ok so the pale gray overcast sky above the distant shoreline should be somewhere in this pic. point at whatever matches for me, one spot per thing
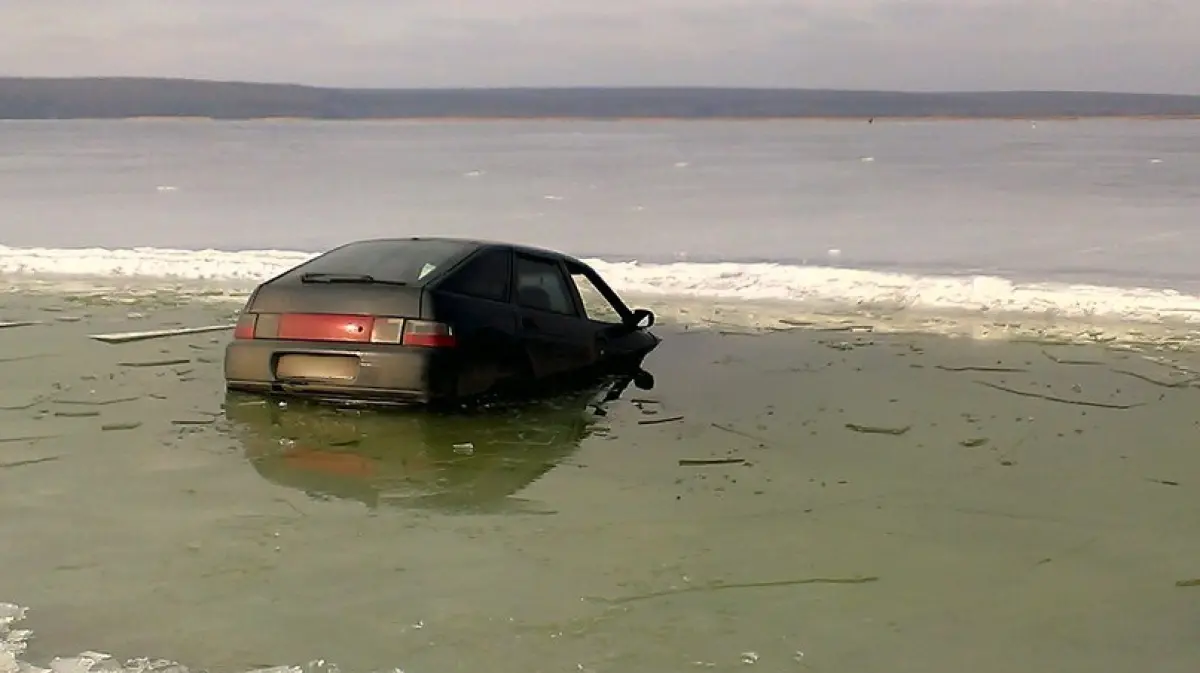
(913, 45)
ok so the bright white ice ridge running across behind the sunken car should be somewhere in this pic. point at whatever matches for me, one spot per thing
(730, 281)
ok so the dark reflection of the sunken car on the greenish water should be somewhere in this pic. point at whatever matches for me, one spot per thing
(471, 461)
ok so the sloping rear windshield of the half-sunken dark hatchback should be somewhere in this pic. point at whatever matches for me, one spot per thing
(412, 262)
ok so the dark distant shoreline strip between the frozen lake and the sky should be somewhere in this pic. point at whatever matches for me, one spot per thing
(47, 99)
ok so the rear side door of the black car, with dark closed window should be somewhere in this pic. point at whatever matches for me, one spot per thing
(559, 339)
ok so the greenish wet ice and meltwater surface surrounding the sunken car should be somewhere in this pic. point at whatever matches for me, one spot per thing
(827, 501)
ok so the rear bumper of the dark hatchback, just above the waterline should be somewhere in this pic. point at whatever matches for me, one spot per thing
(387, 374)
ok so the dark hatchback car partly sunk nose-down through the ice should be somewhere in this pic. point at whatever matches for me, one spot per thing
(423, 321)
